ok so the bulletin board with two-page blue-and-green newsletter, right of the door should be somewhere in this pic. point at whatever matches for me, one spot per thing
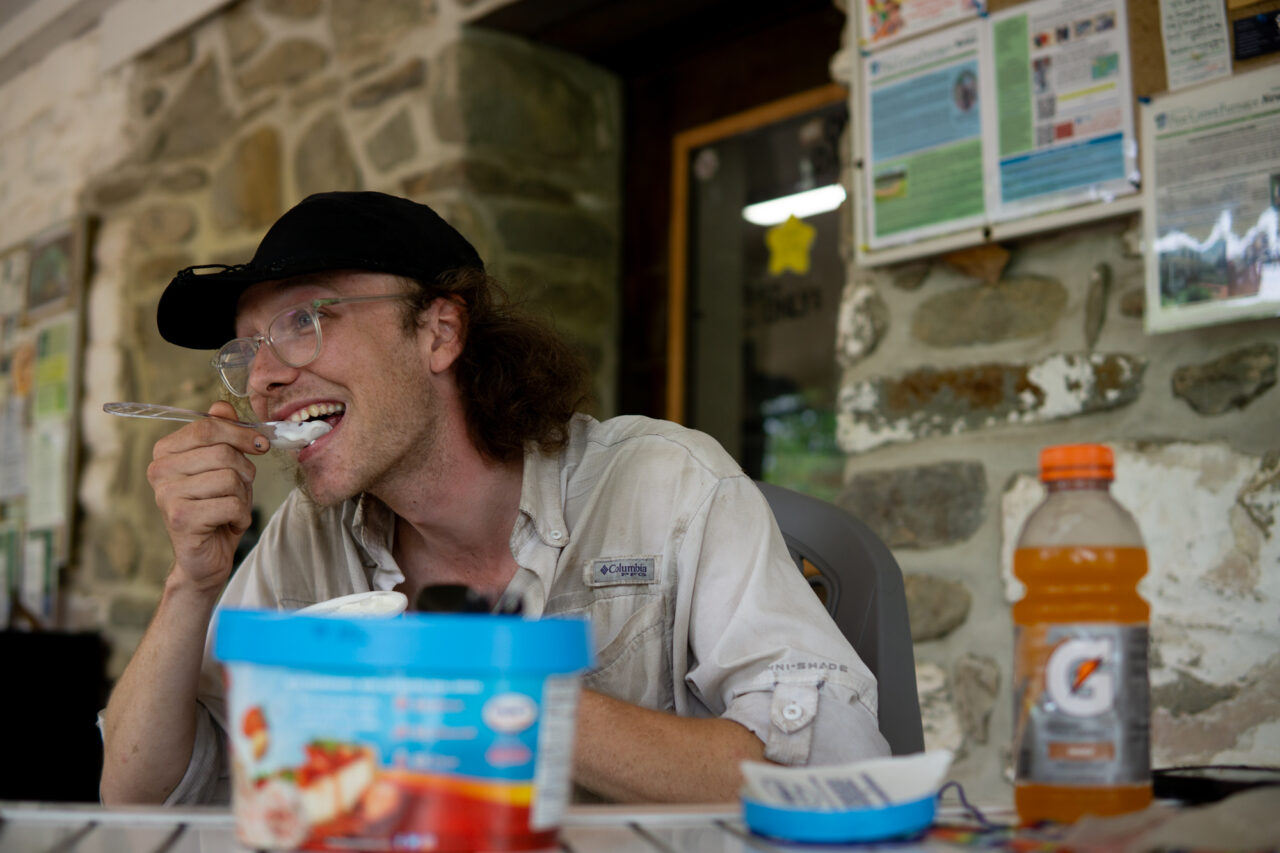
(961, 48)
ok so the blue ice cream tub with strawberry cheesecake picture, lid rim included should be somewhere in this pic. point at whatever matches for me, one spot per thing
(424, 732)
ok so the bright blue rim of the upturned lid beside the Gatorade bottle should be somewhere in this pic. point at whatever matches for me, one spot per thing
(845, 825)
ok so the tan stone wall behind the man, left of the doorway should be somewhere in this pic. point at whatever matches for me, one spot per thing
(239, 117)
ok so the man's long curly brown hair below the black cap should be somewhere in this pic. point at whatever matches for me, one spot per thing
(519, 381)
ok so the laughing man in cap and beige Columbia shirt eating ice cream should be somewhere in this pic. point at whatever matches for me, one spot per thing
(456, 458)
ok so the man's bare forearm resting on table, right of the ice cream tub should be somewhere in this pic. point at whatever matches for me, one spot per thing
(629, 754)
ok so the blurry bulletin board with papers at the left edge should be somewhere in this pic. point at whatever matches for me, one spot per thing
(42, 293)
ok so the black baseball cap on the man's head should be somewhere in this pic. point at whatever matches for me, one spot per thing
(328, 231)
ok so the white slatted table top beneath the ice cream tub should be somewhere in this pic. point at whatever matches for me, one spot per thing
(65, 828)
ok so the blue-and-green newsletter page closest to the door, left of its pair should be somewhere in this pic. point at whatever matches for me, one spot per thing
(924, 171)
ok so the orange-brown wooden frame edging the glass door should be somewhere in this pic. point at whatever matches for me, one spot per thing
(685, 142)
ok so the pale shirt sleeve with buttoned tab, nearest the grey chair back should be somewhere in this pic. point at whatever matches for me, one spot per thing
(765, 653)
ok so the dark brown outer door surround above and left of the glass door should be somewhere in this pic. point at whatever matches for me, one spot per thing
(683, 65)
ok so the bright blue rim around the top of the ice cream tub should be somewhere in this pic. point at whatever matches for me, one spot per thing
(432, 644)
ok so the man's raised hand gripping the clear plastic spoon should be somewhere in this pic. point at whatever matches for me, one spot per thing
(204, 486)
